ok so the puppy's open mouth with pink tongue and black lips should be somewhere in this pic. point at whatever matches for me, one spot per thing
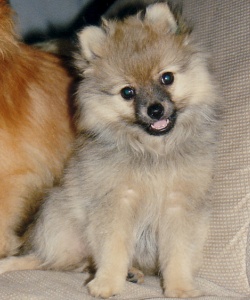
(162, 126)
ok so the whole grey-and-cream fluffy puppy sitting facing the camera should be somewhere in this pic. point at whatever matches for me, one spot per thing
(134, 193)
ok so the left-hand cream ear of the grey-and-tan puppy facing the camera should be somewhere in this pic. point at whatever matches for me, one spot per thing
(91, 40)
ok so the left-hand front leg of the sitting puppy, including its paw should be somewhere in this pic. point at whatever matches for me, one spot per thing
(113, 250)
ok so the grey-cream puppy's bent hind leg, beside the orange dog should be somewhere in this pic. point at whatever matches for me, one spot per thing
(55, 239)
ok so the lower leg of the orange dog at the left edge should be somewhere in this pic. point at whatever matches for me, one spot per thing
(19, 193)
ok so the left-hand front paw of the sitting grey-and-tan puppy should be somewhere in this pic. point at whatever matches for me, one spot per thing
(104, 288)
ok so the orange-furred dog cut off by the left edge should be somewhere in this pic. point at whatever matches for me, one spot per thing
(35, 128)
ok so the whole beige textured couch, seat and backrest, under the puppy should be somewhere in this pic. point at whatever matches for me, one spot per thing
(223, 27)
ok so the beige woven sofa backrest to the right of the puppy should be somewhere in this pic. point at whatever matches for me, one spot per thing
(224, 27)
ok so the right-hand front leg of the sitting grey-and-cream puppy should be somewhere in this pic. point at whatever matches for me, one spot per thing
(181, 238)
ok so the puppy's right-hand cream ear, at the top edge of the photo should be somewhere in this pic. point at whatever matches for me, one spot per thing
(160, 13)
